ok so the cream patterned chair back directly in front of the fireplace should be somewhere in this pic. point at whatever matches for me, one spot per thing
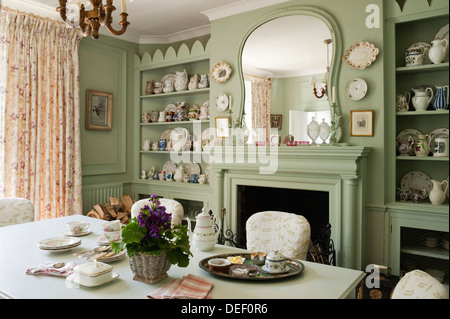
(287, 233)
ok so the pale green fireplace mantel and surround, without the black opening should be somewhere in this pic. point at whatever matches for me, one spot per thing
(339, 170)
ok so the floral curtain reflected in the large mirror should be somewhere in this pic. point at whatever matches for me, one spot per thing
(261, 97)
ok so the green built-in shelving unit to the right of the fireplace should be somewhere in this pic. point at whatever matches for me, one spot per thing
(410, 224)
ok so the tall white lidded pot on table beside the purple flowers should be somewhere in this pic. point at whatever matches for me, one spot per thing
(205, 235)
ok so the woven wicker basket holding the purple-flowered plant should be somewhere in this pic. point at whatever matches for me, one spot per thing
(149, 269)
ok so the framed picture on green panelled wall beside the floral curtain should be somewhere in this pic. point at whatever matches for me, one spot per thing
(98, 110)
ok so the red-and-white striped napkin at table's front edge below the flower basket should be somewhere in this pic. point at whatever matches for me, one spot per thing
(190, 287)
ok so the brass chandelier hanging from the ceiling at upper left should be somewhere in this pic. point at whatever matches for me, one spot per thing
(91, 20)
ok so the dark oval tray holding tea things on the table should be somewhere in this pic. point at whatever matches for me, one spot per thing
(295, 268)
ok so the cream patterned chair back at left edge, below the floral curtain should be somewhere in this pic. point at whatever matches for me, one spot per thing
(15, 210)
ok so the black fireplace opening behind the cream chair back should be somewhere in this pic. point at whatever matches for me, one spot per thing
(313, 205)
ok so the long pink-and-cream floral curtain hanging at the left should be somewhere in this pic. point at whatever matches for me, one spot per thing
(39, 114)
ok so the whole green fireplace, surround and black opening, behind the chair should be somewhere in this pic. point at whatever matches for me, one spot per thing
(326, 183)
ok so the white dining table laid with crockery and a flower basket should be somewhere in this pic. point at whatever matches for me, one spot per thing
(19, 251)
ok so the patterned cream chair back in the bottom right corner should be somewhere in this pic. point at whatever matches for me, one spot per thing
(418, 284)
